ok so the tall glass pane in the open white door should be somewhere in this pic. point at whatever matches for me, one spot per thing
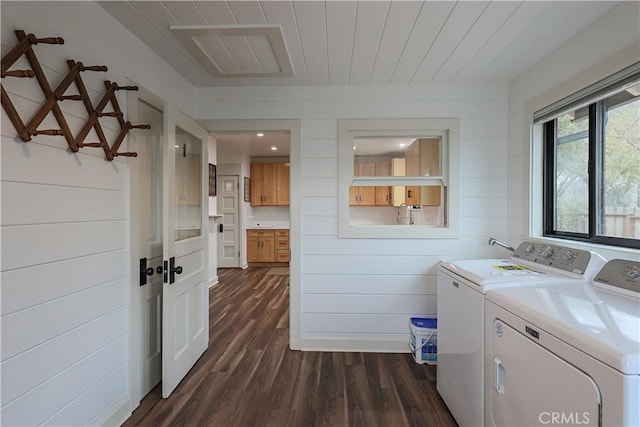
(188, 185)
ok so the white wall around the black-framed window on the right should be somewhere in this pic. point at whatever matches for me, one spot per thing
(608, 45)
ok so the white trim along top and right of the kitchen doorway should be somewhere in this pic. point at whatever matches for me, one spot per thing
(295, 202)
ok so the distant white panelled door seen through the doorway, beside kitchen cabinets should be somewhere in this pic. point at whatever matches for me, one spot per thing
(229, 235)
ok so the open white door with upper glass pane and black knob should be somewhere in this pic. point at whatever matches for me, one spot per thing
(185, 314)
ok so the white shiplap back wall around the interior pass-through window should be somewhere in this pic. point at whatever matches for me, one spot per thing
(360, 293)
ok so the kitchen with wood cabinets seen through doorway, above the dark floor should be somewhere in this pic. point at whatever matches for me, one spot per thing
(253, 194)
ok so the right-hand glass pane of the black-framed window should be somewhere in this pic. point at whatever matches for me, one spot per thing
(621, 166)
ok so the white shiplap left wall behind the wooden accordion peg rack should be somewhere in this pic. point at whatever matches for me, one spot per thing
(65, 228)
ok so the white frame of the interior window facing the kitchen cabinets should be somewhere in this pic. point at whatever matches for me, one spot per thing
(446, 128)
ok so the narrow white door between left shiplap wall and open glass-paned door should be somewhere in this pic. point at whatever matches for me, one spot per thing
(146, 289)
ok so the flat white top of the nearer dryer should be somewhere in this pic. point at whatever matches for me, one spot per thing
(600, 323)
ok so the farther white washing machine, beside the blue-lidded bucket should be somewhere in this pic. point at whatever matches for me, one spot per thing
(461, 300)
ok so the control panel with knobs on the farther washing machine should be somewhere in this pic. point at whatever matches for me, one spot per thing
(567, 259)
